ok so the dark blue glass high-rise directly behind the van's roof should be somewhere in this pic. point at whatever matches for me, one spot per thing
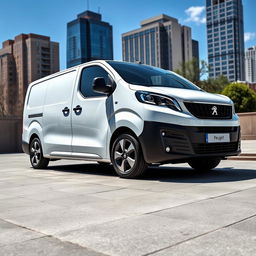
(88, 38)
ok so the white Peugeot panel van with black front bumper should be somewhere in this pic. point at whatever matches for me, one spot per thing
(127, 114)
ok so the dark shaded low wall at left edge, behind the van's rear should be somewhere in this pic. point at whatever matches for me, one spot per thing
(10, 135)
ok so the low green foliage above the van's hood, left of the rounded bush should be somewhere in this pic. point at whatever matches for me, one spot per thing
(214, 85)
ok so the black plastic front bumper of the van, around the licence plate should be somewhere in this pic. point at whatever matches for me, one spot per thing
(185, 142)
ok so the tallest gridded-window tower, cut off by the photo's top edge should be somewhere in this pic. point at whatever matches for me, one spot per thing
(225, 35)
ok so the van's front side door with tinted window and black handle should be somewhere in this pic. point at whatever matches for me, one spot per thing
(89, 118)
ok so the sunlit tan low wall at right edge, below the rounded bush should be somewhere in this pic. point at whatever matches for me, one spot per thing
(248, 125)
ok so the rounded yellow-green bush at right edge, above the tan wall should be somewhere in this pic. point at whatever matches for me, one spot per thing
(243, 97)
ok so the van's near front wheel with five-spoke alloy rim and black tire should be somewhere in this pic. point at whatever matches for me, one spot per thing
(127, 157)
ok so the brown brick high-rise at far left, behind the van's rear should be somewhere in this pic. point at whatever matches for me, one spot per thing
(23, 60)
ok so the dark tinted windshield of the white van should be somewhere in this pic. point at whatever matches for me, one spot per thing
(139, 74)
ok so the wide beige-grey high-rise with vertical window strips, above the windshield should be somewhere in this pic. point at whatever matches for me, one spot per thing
(161, 41)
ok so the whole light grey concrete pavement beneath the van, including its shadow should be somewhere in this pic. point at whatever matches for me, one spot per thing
(78, 208)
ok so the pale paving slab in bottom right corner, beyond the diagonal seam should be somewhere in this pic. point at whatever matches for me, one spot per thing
(241, 241)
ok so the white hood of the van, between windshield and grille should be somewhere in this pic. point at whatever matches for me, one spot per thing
(185, 94)
